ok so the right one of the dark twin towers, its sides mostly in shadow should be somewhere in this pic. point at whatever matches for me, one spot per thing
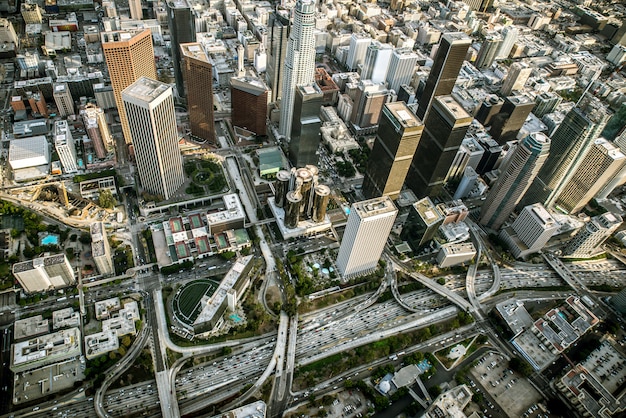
(444, 129)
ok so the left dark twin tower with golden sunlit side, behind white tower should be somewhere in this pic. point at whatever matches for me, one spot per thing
(398, 135)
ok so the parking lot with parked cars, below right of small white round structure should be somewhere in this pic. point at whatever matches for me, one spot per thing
(513, 394)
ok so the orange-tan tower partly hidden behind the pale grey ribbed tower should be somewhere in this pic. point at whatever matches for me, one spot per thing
(129, 56)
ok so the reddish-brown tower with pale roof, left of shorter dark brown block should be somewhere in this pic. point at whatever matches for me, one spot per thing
(198, 78)
